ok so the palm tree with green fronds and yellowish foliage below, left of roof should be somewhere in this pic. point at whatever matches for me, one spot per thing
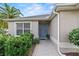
(7, 12)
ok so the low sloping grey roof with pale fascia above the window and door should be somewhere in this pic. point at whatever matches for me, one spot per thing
(31, 18)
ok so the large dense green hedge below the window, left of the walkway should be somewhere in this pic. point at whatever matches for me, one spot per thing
(15, 46)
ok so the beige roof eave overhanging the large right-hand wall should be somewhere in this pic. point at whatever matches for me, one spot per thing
(67, 7)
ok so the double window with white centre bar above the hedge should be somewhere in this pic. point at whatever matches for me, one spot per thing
(22, 28)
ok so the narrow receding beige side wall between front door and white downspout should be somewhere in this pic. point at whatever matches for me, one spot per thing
(54, 29)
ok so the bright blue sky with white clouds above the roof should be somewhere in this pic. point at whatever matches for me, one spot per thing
(30, 9)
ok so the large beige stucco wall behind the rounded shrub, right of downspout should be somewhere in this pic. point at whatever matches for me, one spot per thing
(68, 21)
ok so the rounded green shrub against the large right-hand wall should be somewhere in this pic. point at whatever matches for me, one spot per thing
(74, 36)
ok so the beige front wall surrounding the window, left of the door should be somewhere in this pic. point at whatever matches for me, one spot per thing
(33, 27)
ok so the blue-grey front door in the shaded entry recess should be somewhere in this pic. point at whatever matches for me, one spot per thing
(43, 30)
